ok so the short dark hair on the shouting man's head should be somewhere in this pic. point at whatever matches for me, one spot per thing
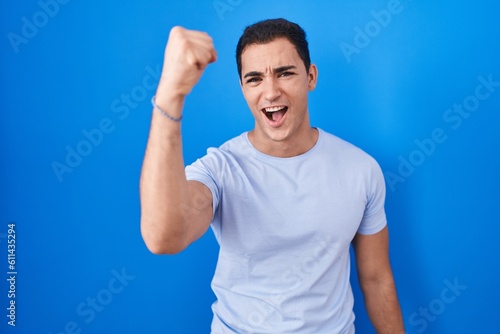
(266, 31)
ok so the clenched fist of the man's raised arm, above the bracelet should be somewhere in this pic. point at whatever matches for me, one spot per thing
(187, 54)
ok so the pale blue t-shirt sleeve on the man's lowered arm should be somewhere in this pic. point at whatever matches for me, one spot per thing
(374, 218)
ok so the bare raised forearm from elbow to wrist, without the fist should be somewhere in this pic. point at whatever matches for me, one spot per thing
(163, 186)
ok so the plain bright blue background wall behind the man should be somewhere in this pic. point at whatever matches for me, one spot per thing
(78, 231)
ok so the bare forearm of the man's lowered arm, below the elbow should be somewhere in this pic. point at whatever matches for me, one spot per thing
(383, 306)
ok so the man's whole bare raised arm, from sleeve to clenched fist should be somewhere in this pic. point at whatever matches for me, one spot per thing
(168, 221)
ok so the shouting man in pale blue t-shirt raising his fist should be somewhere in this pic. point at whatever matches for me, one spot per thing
(284, 200)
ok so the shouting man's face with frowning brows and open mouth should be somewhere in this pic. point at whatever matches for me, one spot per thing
(275, 84)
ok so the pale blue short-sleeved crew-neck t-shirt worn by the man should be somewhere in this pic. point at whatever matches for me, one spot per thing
(284, 226)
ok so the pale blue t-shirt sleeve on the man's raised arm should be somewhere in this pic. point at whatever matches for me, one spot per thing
(204, 170)
